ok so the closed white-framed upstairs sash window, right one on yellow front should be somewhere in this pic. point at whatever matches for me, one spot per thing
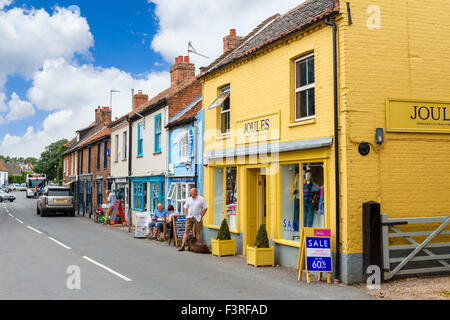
(304, 88)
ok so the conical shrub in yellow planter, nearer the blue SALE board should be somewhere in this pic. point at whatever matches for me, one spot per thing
(261, 254)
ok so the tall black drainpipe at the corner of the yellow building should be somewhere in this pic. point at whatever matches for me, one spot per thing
(336, 148)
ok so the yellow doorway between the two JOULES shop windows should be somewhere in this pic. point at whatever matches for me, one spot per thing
(256, 203)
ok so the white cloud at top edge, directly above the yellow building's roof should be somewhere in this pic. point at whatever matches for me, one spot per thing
(206, 22)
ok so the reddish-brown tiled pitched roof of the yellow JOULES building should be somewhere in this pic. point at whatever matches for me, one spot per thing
(276, 28)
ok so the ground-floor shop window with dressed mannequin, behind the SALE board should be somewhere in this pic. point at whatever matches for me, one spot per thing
(302, 198)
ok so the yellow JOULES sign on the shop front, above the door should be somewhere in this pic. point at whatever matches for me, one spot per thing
(265, 128)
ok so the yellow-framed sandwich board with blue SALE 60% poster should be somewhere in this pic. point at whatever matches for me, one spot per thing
(315, 253)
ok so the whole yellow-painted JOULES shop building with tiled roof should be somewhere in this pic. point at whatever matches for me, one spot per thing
(270, 132)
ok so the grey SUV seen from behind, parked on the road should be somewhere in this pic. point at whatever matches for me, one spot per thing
(54, 200)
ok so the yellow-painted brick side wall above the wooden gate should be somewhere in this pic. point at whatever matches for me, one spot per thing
(407, 58)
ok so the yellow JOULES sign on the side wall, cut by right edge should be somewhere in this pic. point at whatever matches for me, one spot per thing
(417, 116)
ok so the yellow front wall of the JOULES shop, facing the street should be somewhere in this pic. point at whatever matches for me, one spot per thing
(263, 85)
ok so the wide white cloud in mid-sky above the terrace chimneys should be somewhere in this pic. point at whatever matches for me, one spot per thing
(60, 85)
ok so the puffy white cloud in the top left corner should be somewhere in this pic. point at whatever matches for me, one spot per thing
(33, 36)
